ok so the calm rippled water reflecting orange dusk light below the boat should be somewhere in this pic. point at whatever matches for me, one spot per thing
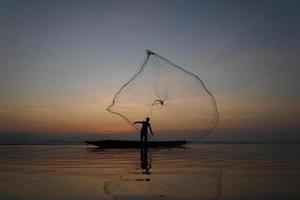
(199, 171)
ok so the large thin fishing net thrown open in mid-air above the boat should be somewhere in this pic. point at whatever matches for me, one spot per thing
(176, 100)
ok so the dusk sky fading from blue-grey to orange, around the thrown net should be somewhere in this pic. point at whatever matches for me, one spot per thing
(61, 62)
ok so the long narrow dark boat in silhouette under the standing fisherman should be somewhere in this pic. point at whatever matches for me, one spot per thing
(122, 144)
